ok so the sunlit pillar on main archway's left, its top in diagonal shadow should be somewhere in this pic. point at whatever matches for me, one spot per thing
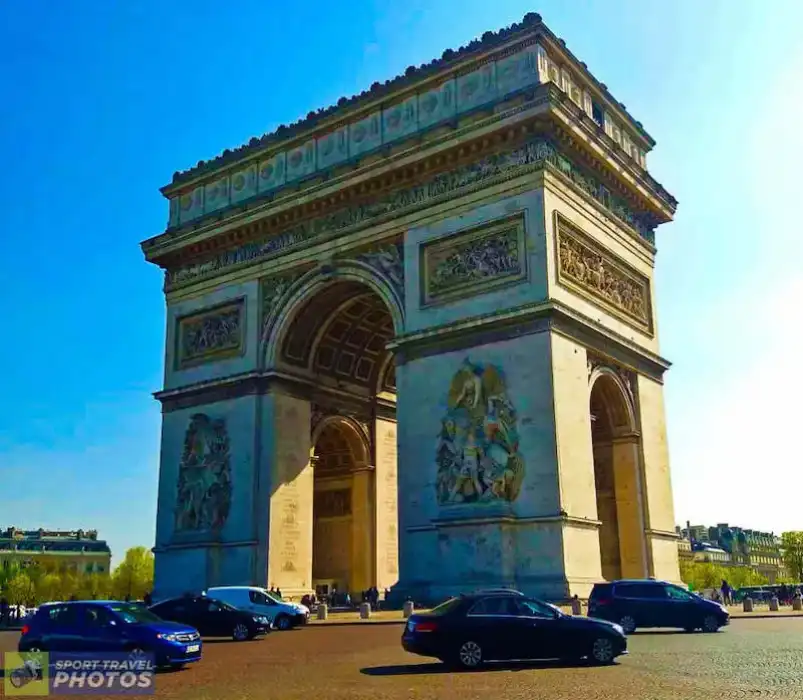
(286, 461)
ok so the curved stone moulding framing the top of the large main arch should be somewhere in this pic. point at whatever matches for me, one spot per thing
(302, 290)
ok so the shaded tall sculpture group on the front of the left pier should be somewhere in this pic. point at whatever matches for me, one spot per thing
(204, 477)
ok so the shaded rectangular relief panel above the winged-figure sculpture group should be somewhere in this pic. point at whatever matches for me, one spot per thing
(474, 262)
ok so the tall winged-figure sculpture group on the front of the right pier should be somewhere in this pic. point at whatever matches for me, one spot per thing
(477, 455)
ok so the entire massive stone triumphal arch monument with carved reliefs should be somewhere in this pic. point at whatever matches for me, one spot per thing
(411, 342)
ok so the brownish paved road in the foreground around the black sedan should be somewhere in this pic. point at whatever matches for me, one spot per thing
(752, 658)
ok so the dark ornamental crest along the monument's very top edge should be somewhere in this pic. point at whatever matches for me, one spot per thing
(488, 41)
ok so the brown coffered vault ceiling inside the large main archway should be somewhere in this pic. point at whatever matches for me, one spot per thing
(342, 333)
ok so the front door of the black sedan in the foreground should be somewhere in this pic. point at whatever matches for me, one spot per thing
(537, 634)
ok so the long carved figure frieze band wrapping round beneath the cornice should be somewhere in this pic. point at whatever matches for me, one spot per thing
(484, 172)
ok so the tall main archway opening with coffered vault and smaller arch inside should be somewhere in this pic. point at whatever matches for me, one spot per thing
(335, 338)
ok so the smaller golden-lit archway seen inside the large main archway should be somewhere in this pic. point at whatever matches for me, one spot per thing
(343, 511)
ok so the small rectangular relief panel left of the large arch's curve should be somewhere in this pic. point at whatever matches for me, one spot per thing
(211, 335)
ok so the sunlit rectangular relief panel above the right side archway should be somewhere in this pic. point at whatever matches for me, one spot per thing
(585, 267)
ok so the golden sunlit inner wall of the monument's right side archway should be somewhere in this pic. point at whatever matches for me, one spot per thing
(629, 507)
